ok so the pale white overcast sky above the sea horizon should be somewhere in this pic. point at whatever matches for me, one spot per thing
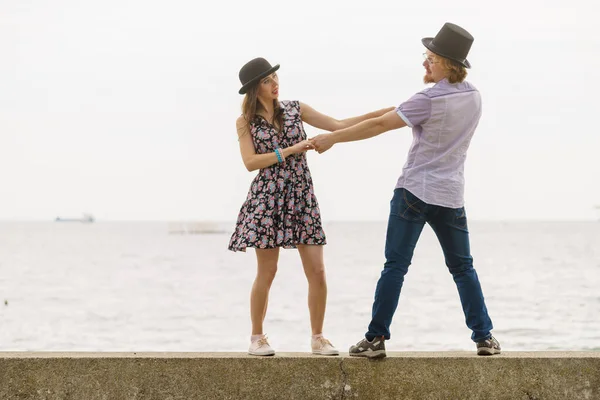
(126, 108)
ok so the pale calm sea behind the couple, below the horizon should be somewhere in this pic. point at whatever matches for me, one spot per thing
(140, 286)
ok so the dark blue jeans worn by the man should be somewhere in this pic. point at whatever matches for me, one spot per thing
(408, 216)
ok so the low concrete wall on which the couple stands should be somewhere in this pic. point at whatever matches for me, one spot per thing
(186, 376)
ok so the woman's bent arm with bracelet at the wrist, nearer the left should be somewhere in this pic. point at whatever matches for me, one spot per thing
(254, 161)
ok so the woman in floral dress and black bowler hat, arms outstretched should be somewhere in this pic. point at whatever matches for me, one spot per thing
(281, 209)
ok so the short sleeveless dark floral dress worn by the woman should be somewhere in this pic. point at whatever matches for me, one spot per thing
(281, 209)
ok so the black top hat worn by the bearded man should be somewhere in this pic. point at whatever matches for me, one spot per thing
(452, 42)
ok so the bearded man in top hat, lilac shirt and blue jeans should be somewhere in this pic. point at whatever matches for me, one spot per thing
(430, 189)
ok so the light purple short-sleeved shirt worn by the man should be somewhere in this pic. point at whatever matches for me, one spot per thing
(443, 119)
